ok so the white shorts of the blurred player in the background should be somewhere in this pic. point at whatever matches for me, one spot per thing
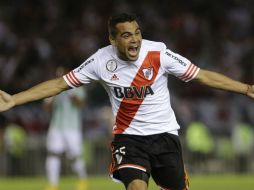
(68, 141)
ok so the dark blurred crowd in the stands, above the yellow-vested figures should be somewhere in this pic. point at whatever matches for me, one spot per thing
(37, 36)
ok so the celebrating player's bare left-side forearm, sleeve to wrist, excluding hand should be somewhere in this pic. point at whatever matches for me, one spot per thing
(41, 91)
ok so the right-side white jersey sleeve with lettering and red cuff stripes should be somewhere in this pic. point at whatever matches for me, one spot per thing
(178, 65)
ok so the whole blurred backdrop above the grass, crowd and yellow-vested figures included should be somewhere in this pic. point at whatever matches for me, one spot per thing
(37, 36)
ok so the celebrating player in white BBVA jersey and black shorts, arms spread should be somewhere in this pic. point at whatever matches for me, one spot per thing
(134, 73)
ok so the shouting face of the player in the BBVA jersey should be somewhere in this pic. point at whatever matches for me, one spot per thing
(127, 40)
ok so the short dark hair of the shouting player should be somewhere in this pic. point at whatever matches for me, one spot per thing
(119, 18)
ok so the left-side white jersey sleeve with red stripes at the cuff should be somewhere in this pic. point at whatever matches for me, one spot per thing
(84, 74)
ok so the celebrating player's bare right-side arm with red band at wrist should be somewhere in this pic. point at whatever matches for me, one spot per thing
(222, 82)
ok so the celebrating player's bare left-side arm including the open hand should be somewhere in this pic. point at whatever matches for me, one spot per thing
(40, 91)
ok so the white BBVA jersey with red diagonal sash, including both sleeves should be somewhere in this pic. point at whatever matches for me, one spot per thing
(137, 89)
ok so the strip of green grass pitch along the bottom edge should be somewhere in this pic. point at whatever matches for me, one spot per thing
(207, 182)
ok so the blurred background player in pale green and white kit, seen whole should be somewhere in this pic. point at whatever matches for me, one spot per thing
(65, 134)
